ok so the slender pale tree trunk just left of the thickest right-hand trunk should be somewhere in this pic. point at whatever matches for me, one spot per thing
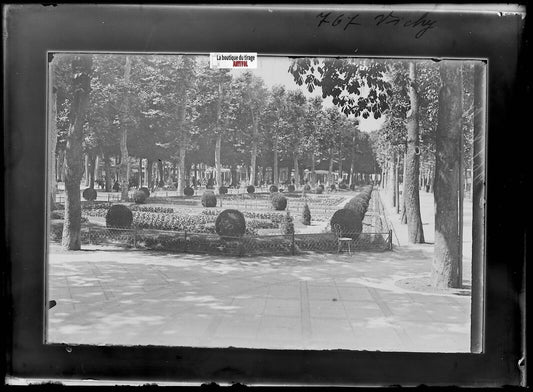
(411, 194)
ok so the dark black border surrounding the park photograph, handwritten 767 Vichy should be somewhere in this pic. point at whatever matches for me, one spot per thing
(33, 30)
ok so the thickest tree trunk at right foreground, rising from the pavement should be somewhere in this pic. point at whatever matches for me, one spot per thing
(447, 261)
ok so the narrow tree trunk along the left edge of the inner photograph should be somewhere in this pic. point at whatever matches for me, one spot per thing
(52, 134)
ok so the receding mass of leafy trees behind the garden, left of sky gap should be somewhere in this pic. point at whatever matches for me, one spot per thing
(179, 110)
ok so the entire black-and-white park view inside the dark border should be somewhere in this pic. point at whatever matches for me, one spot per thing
(311, 203)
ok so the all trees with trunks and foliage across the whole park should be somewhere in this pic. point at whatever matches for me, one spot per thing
(174, 107)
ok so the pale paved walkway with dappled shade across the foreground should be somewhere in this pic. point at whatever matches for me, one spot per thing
(130, 297)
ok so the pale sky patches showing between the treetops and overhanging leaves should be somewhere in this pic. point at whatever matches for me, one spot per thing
(274, 70)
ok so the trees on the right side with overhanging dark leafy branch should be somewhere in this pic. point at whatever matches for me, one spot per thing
(431, 109)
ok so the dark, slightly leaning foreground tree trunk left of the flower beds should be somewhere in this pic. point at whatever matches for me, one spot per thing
(81, 70)
